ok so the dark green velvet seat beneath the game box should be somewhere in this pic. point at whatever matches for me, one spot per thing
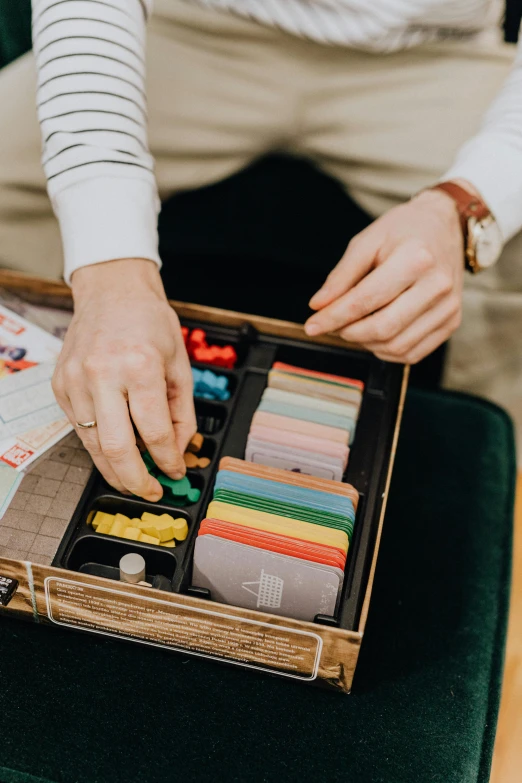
(84, 709)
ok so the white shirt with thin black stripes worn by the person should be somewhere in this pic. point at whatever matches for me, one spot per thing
(92, 107)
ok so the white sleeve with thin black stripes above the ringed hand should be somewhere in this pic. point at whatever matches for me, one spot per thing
(92, 111)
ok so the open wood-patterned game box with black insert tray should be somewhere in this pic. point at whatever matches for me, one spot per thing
(57, 558)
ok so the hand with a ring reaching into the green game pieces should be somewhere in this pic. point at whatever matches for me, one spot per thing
(123, 362)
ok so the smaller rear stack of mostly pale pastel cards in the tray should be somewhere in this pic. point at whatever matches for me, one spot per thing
(305, 422)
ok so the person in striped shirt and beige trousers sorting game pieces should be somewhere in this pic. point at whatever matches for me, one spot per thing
(388, 97)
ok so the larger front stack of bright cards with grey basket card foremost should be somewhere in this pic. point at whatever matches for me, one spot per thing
(275, 541)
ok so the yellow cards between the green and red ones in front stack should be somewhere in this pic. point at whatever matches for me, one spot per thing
(278, 524)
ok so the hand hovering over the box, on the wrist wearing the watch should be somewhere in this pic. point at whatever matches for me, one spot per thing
(397, 291)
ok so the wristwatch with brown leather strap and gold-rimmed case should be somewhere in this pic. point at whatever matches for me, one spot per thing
(482, 237)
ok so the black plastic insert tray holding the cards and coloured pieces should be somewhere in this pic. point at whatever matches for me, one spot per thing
(226, 426)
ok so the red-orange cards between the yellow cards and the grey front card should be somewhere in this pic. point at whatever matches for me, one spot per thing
(274, 543)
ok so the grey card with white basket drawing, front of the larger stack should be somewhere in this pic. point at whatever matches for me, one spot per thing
(252, 578)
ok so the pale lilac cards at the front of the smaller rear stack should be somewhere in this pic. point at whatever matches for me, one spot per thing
(305, 462)
